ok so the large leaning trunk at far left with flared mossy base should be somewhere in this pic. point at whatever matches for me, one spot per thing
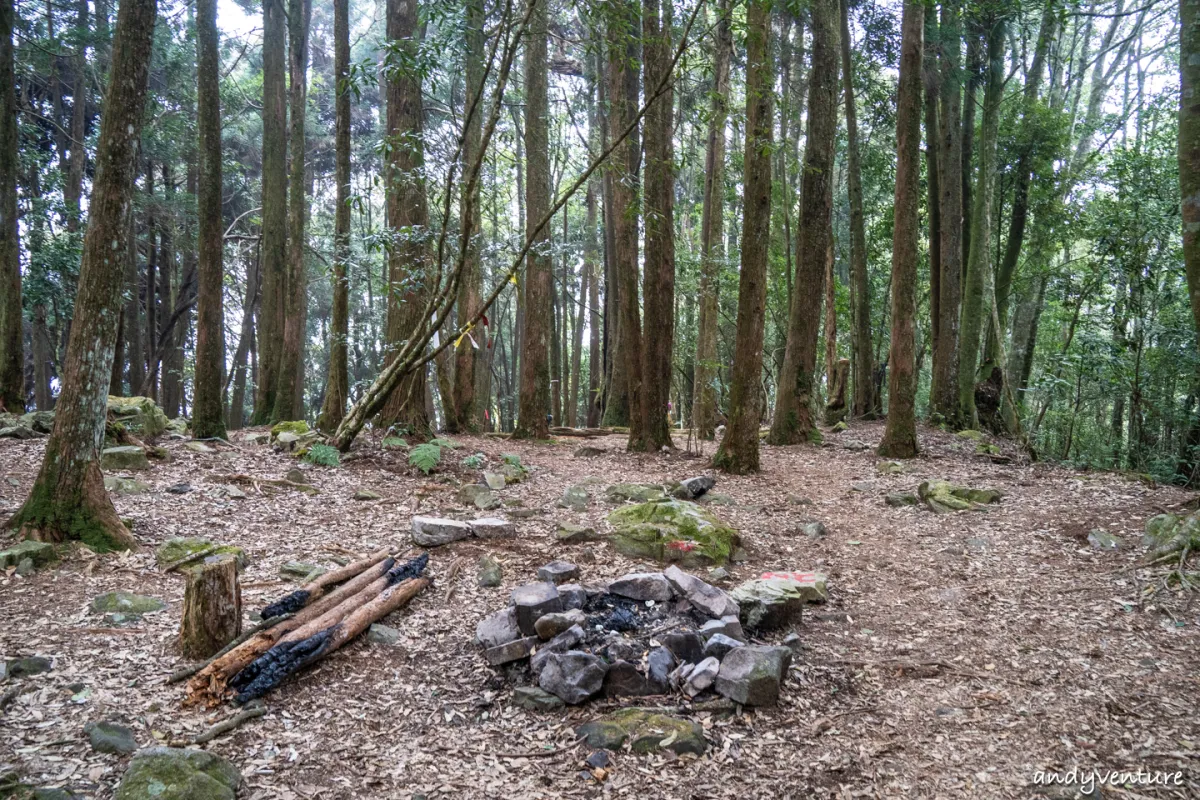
(69, 500)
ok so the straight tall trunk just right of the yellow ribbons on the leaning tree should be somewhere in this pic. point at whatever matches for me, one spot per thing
(539, 280)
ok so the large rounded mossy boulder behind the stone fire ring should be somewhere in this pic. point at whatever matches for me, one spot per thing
(674, 531)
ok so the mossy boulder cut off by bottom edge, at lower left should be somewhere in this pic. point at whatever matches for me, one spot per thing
(177, 774)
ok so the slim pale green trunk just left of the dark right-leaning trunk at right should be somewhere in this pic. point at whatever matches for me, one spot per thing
(976, 290)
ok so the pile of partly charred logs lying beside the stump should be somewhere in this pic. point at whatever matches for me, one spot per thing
(314, 622)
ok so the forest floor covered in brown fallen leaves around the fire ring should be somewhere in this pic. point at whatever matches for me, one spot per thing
(957, 657)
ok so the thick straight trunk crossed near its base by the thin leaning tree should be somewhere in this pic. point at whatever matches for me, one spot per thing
(409, 261)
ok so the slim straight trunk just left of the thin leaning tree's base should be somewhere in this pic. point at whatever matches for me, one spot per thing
(338, 387)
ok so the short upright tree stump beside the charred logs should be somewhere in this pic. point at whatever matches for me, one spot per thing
(212, 607)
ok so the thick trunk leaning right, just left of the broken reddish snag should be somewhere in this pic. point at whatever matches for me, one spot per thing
(795, 401)
